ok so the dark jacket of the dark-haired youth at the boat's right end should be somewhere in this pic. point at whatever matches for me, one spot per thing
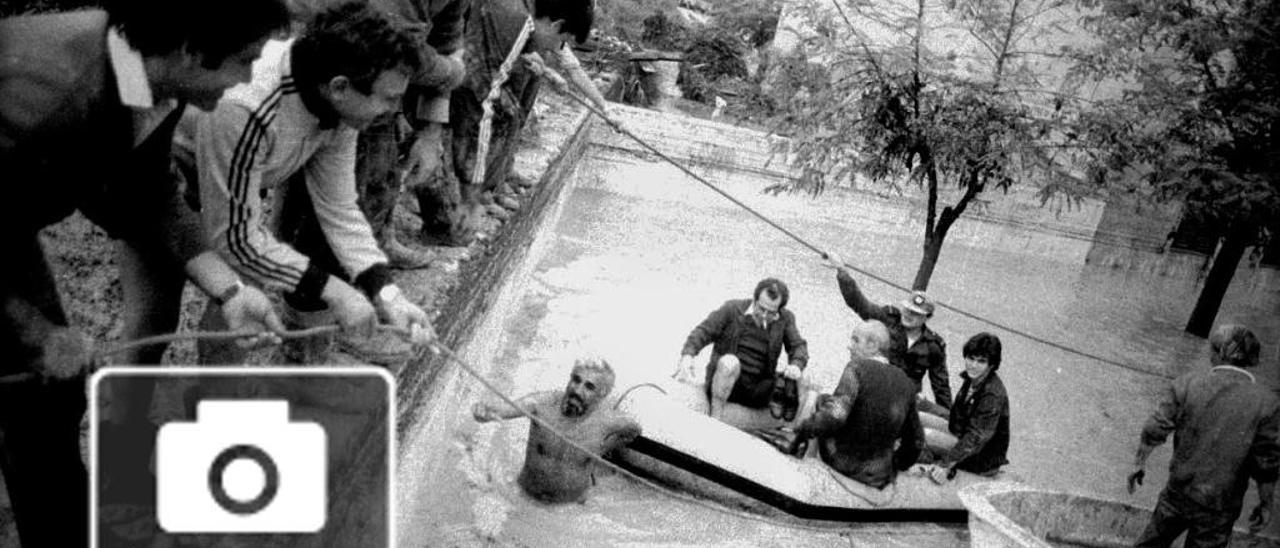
(980, 421)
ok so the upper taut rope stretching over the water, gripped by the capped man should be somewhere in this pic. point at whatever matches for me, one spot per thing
(559, 83)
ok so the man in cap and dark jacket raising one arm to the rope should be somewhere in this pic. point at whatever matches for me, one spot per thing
(913, 346)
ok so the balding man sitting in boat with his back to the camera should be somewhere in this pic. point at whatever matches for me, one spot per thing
(868, 430)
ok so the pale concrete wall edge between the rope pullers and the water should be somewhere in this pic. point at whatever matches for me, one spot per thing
(472, 321)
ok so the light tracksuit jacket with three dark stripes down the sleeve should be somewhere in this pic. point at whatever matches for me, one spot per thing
(260, 135)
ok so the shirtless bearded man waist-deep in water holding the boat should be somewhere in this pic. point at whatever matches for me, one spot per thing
(555, 471)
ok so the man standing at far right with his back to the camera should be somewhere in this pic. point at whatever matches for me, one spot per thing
(1227, 431)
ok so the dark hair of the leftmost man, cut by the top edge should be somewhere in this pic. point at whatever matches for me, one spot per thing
(216, 30)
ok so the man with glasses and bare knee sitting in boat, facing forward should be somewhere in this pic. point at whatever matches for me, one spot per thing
(749, 337)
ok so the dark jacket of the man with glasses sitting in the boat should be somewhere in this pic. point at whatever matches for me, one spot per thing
(723, 328)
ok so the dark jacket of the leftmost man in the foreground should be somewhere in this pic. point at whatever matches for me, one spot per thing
(67, 141)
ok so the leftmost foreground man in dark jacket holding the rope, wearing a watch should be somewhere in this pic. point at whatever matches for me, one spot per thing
(89, 102)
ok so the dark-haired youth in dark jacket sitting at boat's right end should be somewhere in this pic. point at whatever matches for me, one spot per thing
(980, 417)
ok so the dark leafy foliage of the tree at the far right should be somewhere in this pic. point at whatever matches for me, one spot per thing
(1201, 124)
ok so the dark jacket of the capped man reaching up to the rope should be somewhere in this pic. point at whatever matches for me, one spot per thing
(929, 354)
